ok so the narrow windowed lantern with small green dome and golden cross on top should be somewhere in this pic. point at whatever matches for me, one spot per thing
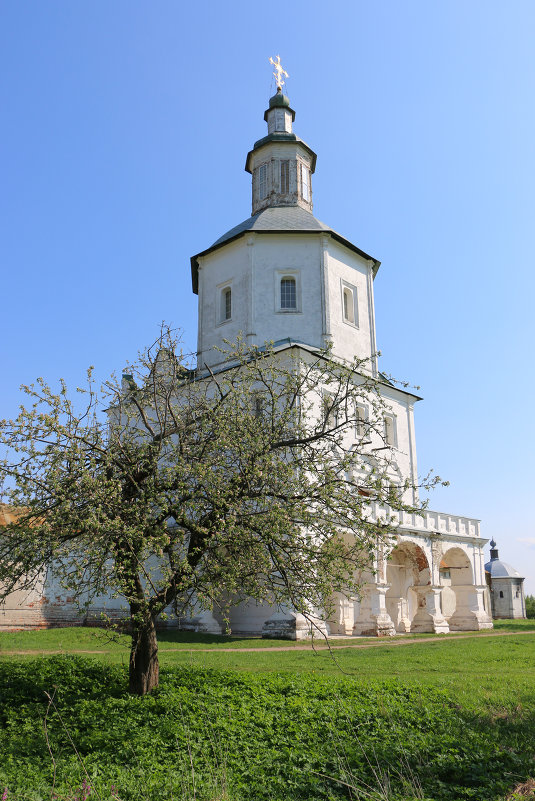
(280, 163)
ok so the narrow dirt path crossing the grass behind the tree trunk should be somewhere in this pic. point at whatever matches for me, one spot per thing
(379, 643)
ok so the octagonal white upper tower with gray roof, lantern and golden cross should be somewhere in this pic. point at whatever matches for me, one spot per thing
(281, 275)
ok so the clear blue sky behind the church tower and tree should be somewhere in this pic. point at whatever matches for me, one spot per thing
(124, 131)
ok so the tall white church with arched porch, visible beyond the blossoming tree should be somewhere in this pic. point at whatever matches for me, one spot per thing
(283, 276)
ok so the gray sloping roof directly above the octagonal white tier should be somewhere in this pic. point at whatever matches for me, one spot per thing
(276, 220)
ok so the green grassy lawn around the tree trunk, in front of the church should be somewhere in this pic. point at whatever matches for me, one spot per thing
(436, 721)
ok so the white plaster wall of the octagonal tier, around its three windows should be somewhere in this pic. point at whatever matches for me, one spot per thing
(253, 266)
